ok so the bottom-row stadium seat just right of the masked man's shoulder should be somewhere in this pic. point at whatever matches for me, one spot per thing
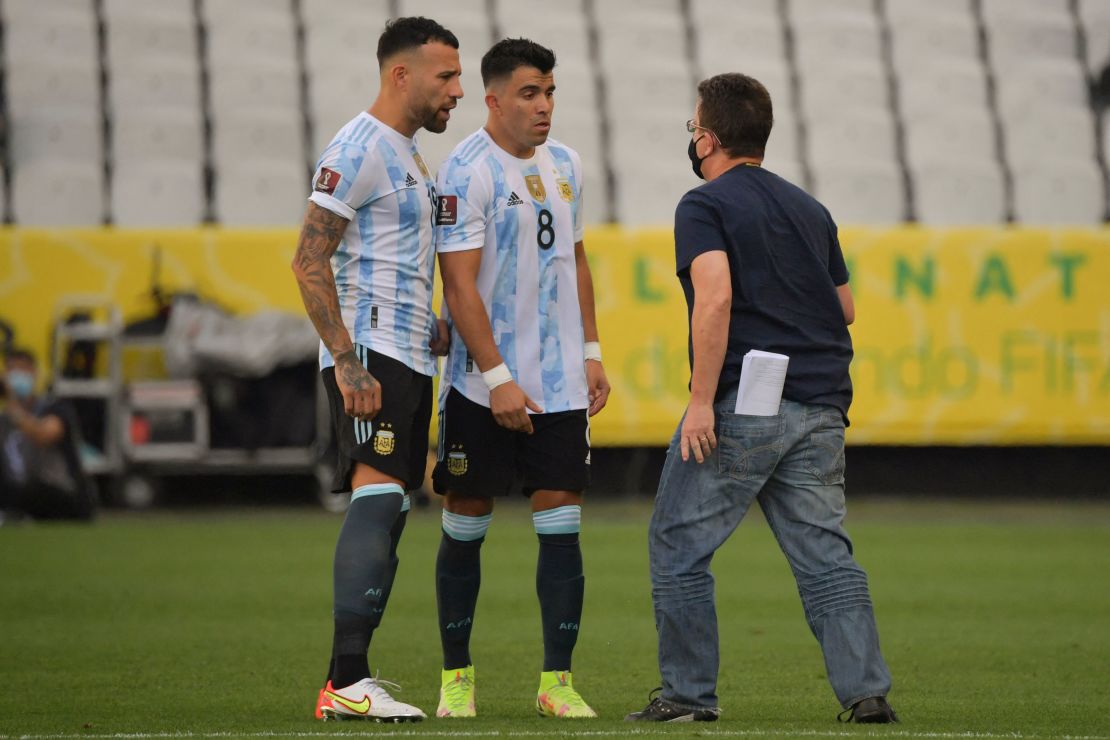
(859, 192)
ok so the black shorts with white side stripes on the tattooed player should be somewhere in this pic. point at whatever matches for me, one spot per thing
(396, 441)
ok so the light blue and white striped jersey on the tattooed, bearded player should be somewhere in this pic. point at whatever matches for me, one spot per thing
(385, 267)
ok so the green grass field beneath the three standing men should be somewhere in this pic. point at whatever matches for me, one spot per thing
(995, 620)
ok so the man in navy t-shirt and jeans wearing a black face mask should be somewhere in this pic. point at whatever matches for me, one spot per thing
(762, 269)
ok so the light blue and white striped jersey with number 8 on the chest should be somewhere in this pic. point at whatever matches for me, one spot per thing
(526, 216)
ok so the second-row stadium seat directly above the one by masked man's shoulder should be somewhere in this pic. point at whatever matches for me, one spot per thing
(853, 135)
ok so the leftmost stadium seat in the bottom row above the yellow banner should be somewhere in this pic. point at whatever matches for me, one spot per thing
(58, 194)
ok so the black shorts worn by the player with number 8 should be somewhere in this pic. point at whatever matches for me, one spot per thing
(479, 458)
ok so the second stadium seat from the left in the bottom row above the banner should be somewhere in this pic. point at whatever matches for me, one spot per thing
(158, 194)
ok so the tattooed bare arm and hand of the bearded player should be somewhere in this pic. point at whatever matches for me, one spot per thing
(320, 238)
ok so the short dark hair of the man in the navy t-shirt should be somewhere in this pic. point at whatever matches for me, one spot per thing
(738, 109)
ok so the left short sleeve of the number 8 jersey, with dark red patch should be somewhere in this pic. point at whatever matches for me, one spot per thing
(462, 210)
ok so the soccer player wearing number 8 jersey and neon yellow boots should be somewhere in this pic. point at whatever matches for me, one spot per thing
(524, 370)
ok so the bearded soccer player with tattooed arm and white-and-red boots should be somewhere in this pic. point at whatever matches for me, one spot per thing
(365, 266)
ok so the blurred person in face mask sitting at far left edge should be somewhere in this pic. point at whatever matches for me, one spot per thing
(41, 472)
